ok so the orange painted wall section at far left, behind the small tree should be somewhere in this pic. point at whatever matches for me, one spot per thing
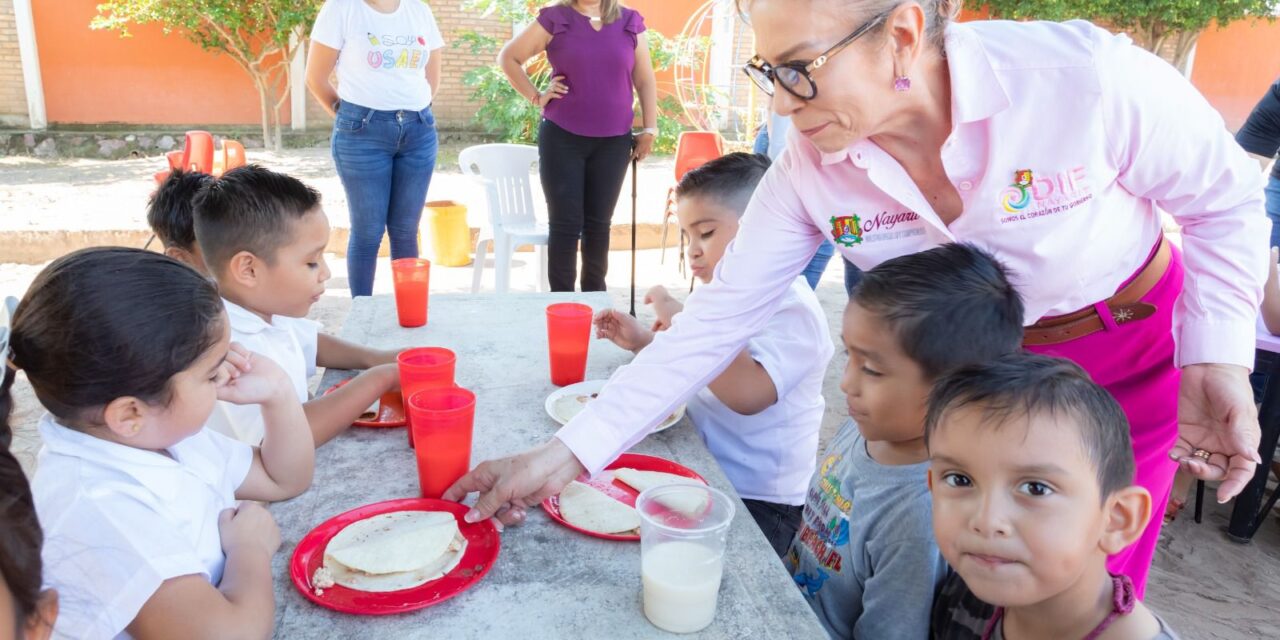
(98, 77)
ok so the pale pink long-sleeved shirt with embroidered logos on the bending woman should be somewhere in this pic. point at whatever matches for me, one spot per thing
(1066, 141)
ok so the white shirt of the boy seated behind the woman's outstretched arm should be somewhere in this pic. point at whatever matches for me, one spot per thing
(771, 456)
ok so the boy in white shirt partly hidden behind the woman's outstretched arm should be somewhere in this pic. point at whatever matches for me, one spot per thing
(762, 415)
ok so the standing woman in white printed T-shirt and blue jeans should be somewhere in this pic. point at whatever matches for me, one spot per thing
(387, 54)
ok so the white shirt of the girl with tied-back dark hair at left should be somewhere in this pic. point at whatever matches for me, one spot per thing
(120, 522)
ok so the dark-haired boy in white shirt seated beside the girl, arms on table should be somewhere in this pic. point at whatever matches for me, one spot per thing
(263, 236)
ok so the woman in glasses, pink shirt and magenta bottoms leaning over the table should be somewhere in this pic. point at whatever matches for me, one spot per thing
(1052, 145)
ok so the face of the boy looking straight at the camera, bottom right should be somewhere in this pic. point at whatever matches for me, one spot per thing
(1017, 508)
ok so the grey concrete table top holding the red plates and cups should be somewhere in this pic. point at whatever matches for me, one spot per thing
(548, 582)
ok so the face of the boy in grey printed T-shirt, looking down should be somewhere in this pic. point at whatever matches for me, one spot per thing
(888, 392)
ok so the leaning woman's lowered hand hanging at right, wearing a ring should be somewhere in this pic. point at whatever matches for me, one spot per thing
(1217, 415)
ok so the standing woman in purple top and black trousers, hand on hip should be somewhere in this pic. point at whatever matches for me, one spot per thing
(598, 54)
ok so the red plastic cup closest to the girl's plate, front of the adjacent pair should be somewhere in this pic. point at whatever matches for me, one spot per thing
(442, 419)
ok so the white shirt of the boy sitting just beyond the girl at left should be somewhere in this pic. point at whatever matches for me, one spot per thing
(290, 342)
